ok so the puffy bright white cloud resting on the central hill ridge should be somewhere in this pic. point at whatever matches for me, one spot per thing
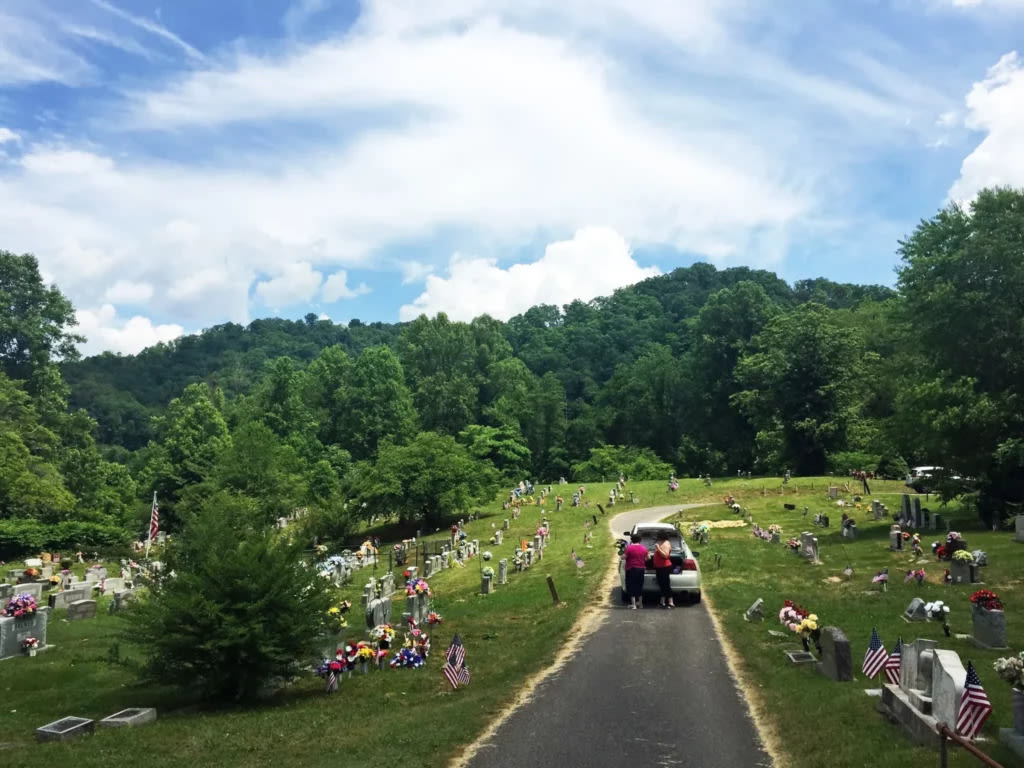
(595, 263)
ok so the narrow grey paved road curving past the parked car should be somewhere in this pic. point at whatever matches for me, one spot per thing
(650, 689)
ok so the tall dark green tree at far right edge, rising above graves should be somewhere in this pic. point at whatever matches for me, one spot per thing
(962, 278)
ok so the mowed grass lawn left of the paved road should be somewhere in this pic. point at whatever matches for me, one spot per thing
(397, 717)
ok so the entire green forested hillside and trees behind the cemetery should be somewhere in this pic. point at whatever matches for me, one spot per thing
(695, 372)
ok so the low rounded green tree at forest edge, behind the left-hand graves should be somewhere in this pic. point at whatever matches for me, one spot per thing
(426, 482)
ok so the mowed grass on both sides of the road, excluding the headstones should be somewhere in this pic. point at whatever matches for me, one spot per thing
(402, 716)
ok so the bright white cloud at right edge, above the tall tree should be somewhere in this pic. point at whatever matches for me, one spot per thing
(996, 107)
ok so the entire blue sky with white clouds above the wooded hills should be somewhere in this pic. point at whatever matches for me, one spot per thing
(181, 164)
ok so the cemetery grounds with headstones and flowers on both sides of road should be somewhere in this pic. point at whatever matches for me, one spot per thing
(798, 603)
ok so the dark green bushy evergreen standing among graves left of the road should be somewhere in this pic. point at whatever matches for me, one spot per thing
(241, 611)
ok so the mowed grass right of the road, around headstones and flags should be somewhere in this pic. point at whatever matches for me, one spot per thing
(817, 721)
